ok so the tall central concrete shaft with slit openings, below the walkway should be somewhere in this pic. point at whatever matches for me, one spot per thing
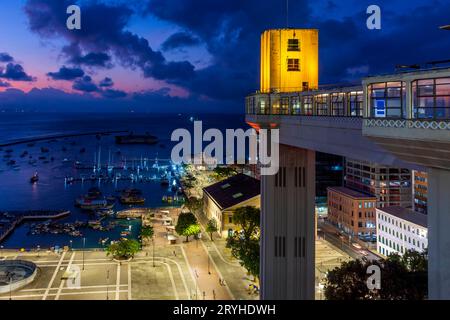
(287, 227)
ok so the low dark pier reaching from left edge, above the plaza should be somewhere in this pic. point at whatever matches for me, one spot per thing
(17, 217)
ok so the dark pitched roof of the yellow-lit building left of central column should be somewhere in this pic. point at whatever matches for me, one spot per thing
(234, 190)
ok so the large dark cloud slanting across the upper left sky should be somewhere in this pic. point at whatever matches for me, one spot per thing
(103, 30)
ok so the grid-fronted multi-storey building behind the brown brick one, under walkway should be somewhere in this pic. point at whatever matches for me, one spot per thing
(390, 185)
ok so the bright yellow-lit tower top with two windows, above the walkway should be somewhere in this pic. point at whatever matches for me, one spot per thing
(289, 60)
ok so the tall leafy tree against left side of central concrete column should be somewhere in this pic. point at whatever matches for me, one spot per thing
(244, 244)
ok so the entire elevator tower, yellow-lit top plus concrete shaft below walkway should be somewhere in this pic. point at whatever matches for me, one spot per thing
(289, 63)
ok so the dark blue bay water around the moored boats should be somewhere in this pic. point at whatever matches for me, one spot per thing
(51, 193)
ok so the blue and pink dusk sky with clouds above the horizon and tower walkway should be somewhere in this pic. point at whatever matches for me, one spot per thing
(193, 55)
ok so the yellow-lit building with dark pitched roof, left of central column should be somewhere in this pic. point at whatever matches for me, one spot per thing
(222, 198)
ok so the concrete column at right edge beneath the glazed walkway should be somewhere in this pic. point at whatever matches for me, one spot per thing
(439, 234)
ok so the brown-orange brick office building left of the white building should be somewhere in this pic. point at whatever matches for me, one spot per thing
(353, 212)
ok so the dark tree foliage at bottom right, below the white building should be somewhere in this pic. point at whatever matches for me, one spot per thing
(402, 278)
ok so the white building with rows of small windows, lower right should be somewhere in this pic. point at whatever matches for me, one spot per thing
(400, 229)
